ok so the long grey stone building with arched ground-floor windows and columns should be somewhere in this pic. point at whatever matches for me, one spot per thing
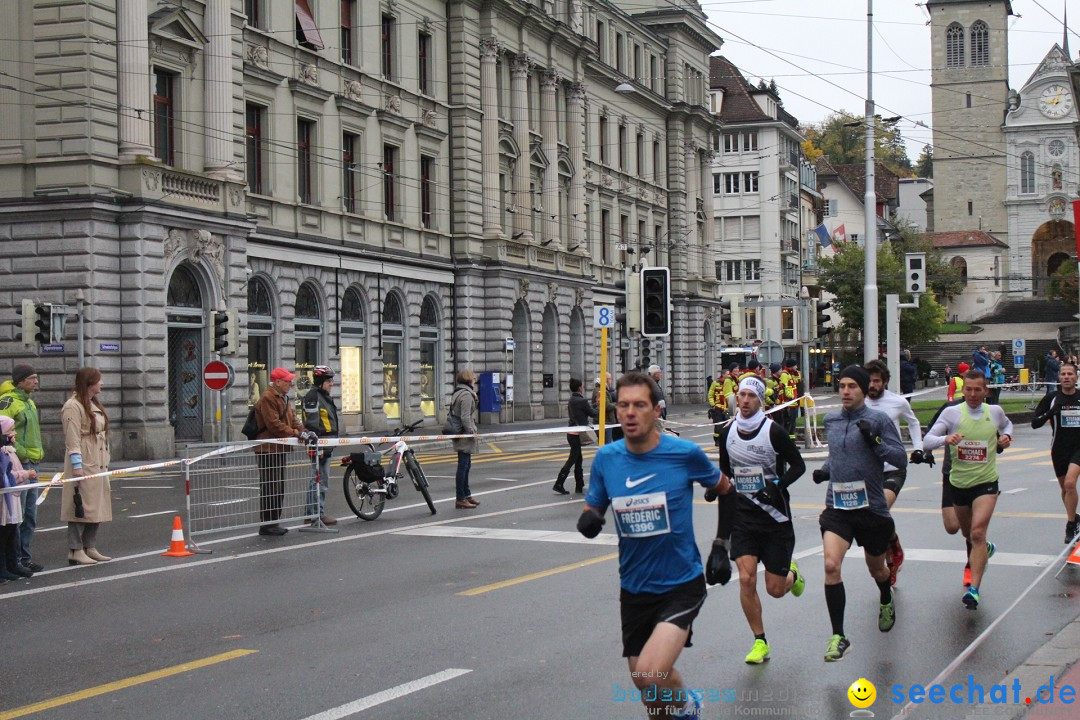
(382, 187)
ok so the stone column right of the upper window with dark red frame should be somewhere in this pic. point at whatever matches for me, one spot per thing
(219, 92)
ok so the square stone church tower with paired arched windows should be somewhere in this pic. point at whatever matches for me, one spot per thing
(970, 91)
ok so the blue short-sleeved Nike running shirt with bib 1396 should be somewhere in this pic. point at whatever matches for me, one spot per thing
(652, 499)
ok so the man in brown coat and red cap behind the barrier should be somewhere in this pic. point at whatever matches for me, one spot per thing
(274, 413)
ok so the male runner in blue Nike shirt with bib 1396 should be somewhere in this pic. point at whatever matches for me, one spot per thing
(647, 479)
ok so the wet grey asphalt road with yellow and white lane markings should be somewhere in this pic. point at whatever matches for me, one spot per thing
(503, 612)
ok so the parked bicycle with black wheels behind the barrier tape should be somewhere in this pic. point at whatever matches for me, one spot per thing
(369, 484)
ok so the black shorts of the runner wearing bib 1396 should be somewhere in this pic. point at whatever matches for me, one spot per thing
(643, 612)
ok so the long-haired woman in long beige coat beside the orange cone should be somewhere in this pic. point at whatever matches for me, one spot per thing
(86, 504)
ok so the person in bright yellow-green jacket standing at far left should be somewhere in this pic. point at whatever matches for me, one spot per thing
(17, 404)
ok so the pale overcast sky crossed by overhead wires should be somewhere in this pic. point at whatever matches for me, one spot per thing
(829, 39)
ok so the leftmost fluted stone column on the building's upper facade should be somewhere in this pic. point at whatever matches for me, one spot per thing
(133, 79)
